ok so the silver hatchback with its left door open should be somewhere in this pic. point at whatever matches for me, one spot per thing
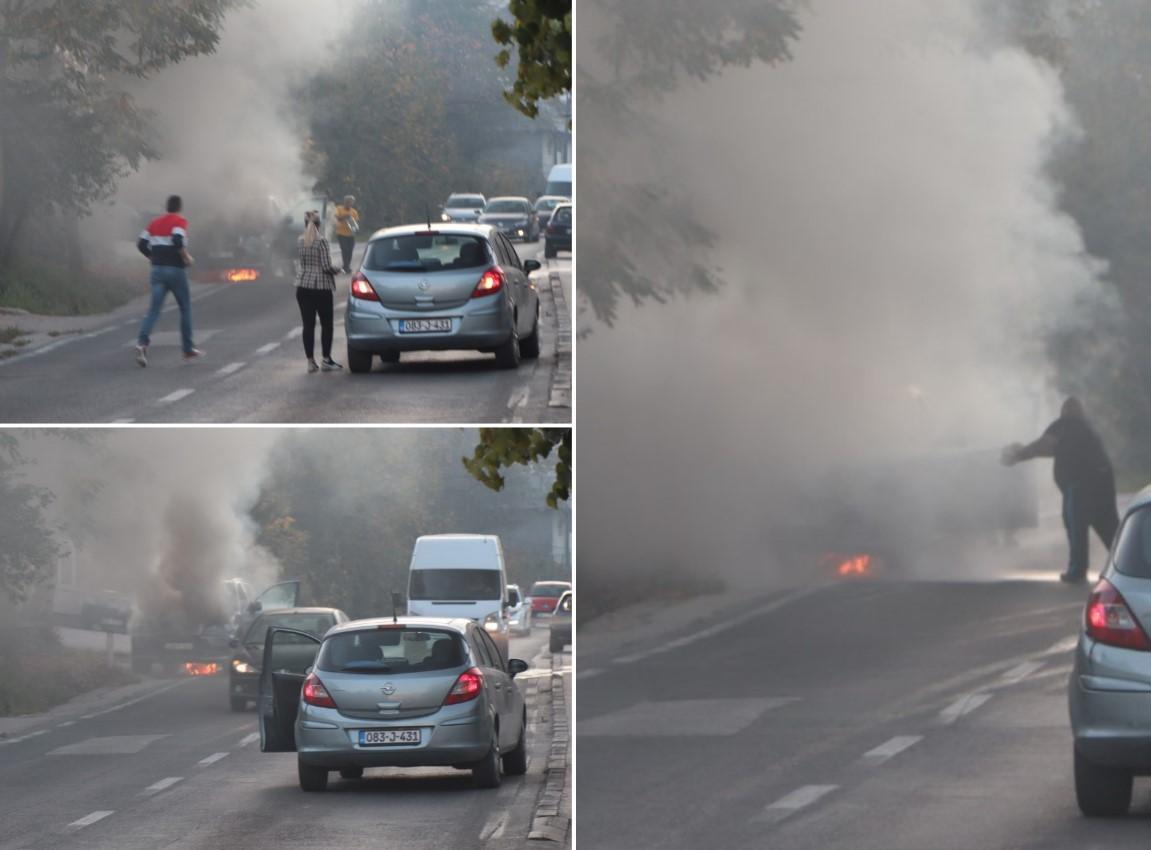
(397, 693)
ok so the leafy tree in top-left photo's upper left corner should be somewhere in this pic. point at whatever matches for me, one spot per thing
(70, 128)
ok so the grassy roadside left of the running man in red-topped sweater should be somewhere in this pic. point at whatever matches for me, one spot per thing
(47, 291)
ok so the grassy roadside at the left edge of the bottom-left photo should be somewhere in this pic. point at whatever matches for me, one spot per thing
(39, 673)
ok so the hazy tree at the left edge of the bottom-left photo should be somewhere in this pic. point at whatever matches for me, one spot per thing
(31, 550)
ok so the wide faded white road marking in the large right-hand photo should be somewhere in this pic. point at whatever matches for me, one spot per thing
(683, 717)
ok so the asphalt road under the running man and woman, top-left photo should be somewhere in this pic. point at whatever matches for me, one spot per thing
(255, 370)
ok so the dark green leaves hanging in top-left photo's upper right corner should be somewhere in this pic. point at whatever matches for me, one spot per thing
(542, 35)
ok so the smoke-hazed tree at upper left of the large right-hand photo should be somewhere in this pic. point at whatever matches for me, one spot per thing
(645, 244)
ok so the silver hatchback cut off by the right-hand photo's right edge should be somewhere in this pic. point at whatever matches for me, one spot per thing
(1110, 688)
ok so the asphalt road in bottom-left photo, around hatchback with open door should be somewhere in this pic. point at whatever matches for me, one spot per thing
(179, 770)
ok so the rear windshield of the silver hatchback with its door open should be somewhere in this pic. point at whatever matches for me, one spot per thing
(392, 650)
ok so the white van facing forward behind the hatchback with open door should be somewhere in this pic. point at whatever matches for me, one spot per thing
(461, 576)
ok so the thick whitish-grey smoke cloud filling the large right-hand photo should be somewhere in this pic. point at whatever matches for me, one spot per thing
(894, 254)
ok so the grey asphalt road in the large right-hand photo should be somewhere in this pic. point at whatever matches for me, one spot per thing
(859, 715)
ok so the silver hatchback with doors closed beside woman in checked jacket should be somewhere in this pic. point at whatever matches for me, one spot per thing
(456, 287)
